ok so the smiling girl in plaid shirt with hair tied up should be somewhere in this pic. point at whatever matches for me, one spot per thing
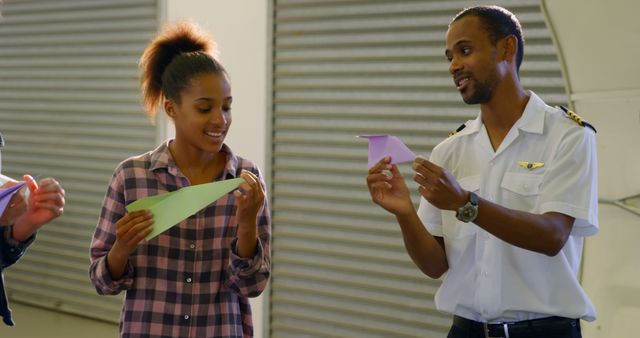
(194, 279)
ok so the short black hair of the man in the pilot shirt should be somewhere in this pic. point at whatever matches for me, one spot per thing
(499, 23)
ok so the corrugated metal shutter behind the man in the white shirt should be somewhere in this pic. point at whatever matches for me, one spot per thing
(341, 69)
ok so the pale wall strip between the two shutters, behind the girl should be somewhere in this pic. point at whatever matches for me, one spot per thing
(240, 29)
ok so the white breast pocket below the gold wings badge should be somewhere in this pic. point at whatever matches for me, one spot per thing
(520, 191)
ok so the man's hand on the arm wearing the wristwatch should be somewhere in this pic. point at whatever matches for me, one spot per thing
(438, 186)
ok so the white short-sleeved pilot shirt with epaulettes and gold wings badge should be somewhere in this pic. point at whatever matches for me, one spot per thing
(490, 280)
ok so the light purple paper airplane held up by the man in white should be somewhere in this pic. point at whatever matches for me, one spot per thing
(387, 145)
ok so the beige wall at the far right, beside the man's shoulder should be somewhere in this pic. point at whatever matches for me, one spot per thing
(599, 45)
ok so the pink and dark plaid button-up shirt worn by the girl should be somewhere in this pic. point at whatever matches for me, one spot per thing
(187, 281)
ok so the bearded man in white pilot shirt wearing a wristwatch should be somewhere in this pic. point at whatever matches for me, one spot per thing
(506, 201)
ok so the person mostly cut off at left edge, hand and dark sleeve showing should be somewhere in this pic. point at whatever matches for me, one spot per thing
(21, 219)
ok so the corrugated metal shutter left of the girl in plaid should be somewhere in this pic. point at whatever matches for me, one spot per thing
(70, 109)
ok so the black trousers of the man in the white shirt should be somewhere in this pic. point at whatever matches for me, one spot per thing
(550, 327)
